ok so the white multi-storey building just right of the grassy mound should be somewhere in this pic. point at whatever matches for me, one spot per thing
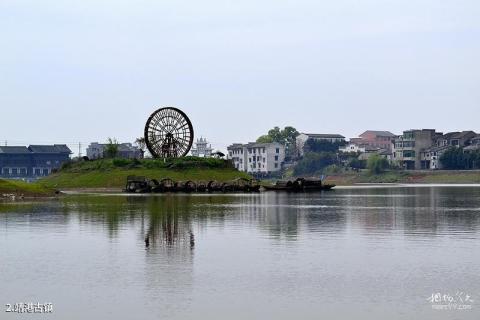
(257, 157)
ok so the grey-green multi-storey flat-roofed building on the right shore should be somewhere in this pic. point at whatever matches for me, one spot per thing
(408, 147)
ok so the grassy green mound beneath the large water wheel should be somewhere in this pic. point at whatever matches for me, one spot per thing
(113, 173)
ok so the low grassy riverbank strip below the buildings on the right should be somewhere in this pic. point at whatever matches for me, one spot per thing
(411, 177)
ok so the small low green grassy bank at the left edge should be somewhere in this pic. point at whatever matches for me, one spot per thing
(13, 189)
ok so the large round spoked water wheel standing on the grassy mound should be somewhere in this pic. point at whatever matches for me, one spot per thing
(168, 133)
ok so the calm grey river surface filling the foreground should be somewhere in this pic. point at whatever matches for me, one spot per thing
(353, 253)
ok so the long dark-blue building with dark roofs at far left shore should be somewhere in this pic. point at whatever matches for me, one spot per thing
(33, 161)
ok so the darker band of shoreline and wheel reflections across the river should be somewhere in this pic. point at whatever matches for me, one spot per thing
(171, 220)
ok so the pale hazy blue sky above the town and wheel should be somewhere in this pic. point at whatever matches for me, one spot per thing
(90, 69)
